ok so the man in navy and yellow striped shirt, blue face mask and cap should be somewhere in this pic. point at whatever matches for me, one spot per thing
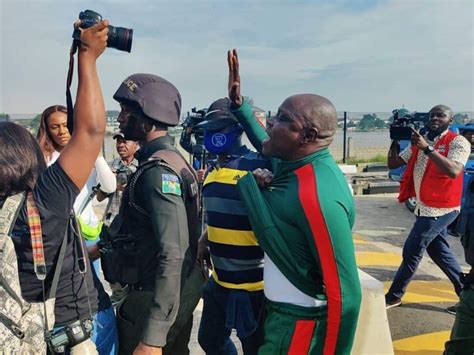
(233, 297)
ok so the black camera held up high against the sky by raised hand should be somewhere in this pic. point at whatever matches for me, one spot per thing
(119, 37)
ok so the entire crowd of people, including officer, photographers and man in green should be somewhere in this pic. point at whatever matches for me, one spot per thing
(271, 254)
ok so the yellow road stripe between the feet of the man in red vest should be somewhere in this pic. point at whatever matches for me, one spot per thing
(428, 292)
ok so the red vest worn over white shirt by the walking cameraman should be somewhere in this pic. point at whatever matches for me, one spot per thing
(437, 189)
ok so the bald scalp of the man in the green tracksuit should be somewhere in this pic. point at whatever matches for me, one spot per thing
(316, 111)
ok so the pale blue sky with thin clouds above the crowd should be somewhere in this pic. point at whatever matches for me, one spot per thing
(364, 55)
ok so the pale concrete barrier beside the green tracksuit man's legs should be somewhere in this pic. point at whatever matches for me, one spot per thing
(373, 332)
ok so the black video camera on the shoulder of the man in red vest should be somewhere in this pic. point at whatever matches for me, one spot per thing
(401, 128)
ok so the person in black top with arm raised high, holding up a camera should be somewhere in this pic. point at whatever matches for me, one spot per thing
(44, 218)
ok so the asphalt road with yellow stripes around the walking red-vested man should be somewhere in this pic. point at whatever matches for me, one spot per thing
(421, 325)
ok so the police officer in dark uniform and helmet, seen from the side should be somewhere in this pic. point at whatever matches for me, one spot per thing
(156, 230)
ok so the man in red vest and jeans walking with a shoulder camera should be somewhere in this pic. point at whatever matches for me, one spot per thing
(434, 176)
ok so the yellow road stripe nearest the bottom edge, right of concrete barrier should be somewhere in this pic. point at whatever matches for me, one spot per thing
(426, 344)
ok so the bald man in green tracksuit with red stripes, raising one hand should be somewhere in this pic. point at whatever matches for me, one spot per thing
(302, 218)
